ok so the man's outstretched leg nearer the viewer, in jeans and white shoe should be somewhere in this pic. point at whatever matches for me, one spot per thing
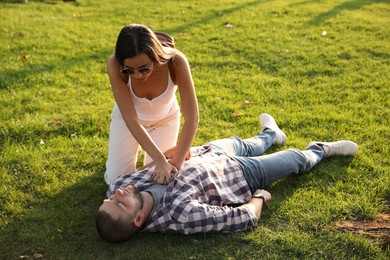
(262, 171)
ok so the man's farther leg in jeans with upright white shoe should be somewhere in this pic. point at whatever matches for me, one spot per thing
(254, 146)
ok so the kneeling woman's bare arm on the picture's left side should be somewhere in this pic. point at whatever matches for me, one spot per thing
(129, 114)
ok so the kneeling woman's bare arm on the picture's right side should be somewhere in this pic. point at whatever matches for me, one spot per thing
(189, 106)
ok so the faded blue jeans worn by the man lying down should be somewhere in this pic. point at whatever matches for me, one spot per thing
(260, 171)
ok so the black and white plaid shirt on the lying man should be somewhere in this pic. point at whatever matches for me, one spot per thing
(200, 198)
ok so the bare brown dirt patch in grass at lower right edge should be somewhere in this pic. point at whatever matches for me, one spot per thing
(377, 229)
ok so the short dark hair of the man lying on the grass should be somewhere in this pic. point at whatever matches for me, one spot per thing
(114, 230)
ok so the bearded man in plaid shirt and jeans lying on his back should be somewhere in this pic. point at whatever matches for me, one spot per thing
(205, 193)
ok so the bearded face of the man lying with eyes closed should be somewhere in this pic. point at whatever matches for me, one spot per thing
(124, 203)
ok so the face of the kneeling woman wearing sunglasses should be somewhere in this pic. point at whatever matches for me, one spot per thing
(139, 67)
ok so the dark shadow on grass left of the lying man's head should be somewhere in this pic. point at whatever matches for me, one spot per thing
(61, 225)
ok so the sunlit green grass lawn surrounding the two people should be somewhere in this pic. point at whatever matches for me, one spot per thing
(56, 102)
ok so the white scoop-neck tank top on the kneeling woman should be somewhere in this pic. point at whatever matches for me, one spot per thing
(159, 108)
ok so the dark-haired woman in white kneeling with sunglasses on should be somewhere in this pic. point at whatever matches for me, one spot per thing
(144, 77)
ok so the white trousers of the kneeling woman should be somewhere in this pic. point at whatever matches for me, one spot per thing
(123, 147)
